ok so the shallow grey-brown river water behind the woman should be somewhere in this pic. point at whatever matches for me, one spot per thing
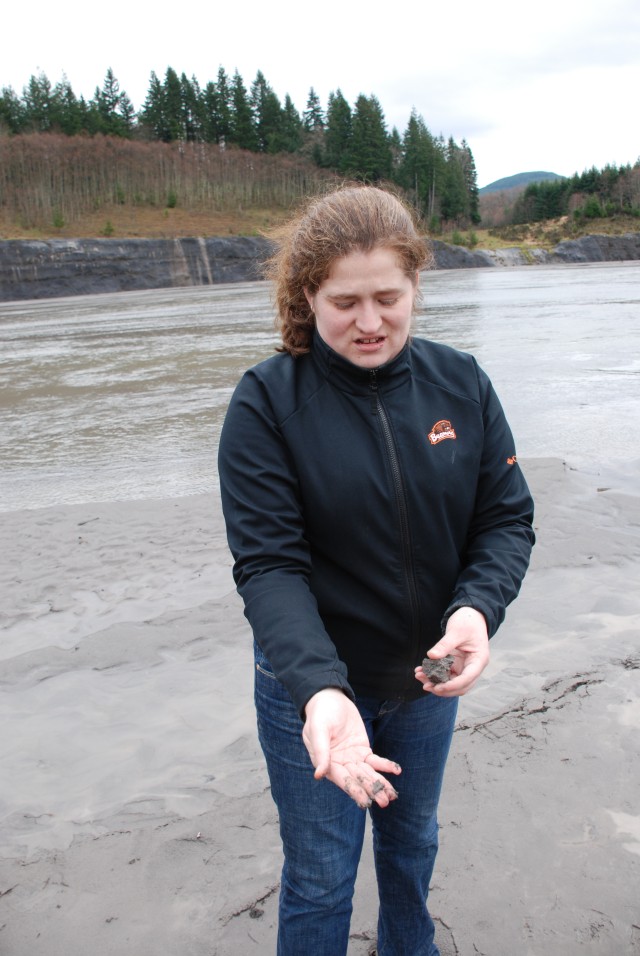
(122, 396)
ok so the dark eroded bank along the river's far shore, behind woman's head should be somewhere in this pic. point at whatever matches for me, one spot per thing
(59, 267)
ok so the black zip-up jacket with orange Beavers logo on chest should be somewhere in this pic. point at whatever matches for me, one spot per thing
(364, 506)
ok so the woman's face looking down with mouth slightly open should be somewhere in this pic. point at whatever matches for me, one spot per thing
(364, 307)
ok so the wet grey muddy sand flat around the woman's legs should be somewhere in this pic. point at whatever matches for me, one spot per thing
(135, 815)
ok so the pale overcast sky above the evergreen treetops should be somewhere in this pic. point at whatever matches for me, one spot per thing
(548, 86)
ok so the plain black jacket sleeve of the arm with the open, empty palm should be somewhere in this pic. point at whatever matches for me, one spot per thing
(265, 529)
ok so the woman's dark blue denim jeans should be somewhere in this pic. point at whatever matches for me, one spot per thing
(322, 829)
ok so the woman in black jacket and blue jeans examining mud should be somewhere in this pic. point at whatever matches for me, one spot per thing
(376, 512)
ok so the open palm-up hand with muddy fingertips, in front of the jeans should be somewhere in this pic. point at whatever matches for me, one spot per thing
(337, 741)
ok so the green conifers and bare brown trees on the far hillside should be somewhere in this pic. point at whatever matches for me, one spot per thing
(226, 145)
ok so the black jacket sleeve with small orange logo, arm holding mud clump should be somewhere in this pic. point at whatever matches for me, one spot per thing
(500, 536)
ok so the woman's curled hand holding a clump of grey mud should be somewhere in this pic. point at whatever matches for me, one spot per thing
(467, 641)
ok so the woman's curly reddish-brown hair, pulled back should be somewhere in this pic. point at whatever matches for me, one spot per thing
(349, 219)
